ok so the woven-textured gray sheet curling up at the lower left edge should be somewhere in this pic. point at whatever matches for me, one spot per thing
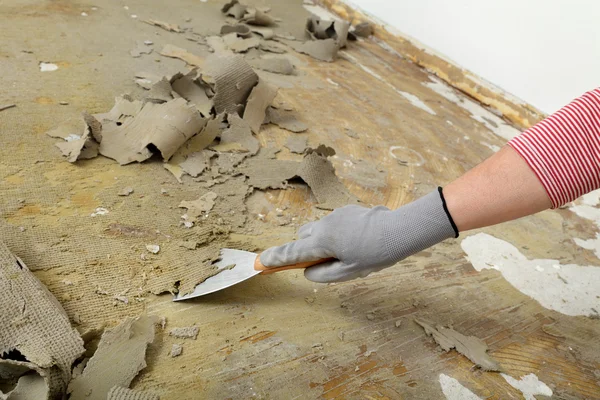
(35, 325)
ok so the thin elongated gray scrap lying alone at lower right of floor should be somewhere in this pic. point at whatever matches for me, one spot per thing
(471, 347)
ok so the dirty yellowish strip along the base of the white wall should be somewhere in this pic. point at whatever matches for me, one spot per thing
(514, 110)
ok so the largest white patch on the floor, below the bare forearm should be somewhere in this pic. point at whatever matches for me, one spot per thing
(569, 289)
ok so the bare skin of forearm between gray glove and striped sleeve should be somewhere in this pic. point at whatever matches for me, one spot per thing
(500, 189)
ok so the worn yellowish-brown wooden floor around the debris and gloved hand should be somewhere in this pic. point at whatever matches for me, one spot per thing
(282, 337)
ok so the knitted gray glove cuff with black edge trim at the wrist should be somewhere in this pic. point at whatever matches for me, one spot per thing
(417, 226)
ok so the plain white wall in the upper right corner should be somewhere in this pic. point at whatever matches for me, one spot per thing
(545, 52)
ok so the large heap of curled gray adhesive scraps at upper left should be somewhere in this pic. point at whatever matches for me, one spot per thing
(189, 109)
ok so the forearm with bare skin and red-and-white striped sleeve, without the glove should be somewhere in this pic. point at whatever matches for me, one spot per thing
(549, 165)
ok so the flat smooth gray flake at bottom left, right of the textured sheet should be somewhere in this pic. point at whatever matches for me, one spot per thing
(120, 356)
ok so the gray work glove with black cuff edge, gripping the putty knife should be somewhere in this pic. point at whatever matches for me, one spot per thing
(365, 240)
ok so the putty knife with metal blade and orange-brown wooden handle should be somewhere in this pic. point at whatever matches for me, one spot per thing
(245, 266)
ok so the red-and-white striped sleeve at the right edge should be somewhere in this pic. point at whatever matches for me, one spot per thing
(564, 149)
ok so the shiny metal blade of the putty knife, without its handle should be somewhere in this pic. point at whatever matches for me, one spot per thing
(243, 270)
